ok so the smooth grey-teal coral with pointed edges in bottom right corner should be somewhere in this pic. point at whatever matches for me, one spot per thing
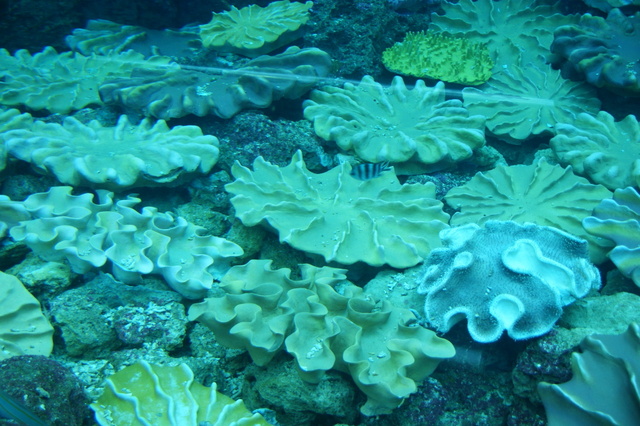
(607, 362)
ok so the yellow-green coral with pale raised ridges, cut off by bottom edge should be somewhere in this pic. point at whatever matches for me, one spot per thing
(145, 394)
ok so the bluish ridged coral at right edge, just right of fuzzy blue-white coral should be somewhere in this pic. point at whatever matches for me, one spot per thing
(618, 219)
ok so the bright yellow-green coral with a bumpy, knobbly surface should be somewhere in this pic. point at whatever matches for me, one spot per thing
(440, 56)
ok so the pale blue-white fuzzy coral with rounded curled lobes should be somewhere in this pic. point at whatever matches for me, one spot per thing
(505, 276)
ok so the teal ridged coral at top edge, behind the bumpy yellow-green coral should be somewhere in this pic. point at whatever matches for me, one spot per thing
(506, 26)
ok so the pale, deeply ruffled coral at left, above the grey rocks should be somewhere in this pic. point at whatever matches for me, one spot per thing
(88, 234)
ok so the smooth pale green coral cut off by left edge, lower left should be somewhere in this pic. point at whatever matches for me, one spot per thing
(24, 330)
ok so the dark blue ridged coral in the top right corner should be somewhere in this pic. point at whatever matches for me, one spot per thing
(604, 51)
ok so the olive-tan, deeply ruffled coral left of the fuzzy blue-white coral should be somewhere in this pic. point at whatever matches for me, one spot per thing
(265, 311)
